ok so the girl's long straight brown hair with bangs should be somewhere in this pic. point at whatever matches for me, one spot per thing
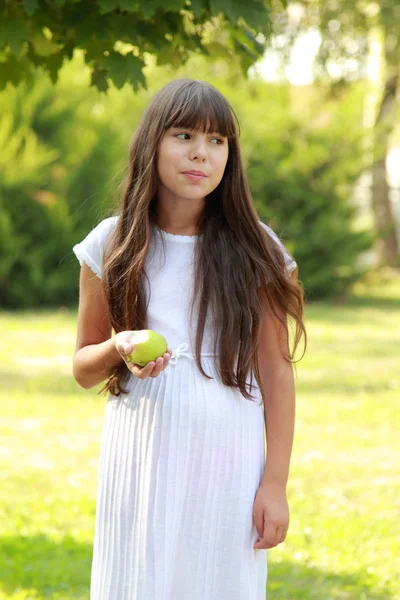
(237, 263)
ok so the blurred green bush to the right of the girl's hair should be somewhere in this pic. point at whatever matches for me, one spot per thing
(303, 159)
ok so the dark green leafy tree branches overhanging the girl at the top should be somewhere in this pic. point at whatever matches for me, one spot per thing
(116, 35)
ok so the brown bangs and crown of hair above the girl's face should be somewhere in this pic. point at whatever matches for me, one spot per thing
(201, 108)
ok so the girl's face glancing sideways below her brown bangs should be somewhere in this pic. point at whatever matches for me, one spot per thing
(184, 150)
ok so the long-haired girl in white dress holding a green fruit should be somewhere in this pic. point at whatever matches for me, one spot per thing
(187, 505)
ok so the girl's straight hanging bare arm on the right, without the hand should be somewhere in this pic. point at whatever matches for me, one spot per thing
(279, 397)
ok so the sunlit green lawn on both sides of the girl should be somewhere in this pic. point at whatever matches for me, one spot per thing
(344, 489)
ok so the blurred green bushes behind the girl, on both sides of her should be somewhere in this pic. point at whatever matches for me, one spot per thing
(67, 153)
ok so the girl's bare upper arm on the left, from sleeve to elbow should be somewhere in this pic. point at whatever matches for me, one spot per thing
(94, 324)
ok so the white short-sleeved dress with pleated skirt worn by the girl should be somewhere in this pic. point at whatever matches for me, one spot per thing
(181, 460)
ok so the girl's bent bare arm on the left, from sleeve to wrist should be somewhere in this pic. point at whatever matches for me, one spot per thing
(95, 354)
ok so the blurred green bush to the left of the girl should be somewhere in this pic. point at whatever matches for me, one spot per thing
(47, 136)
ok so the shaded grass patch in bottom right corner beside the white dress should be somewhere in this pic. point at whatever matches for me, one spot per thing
(288, 581)
